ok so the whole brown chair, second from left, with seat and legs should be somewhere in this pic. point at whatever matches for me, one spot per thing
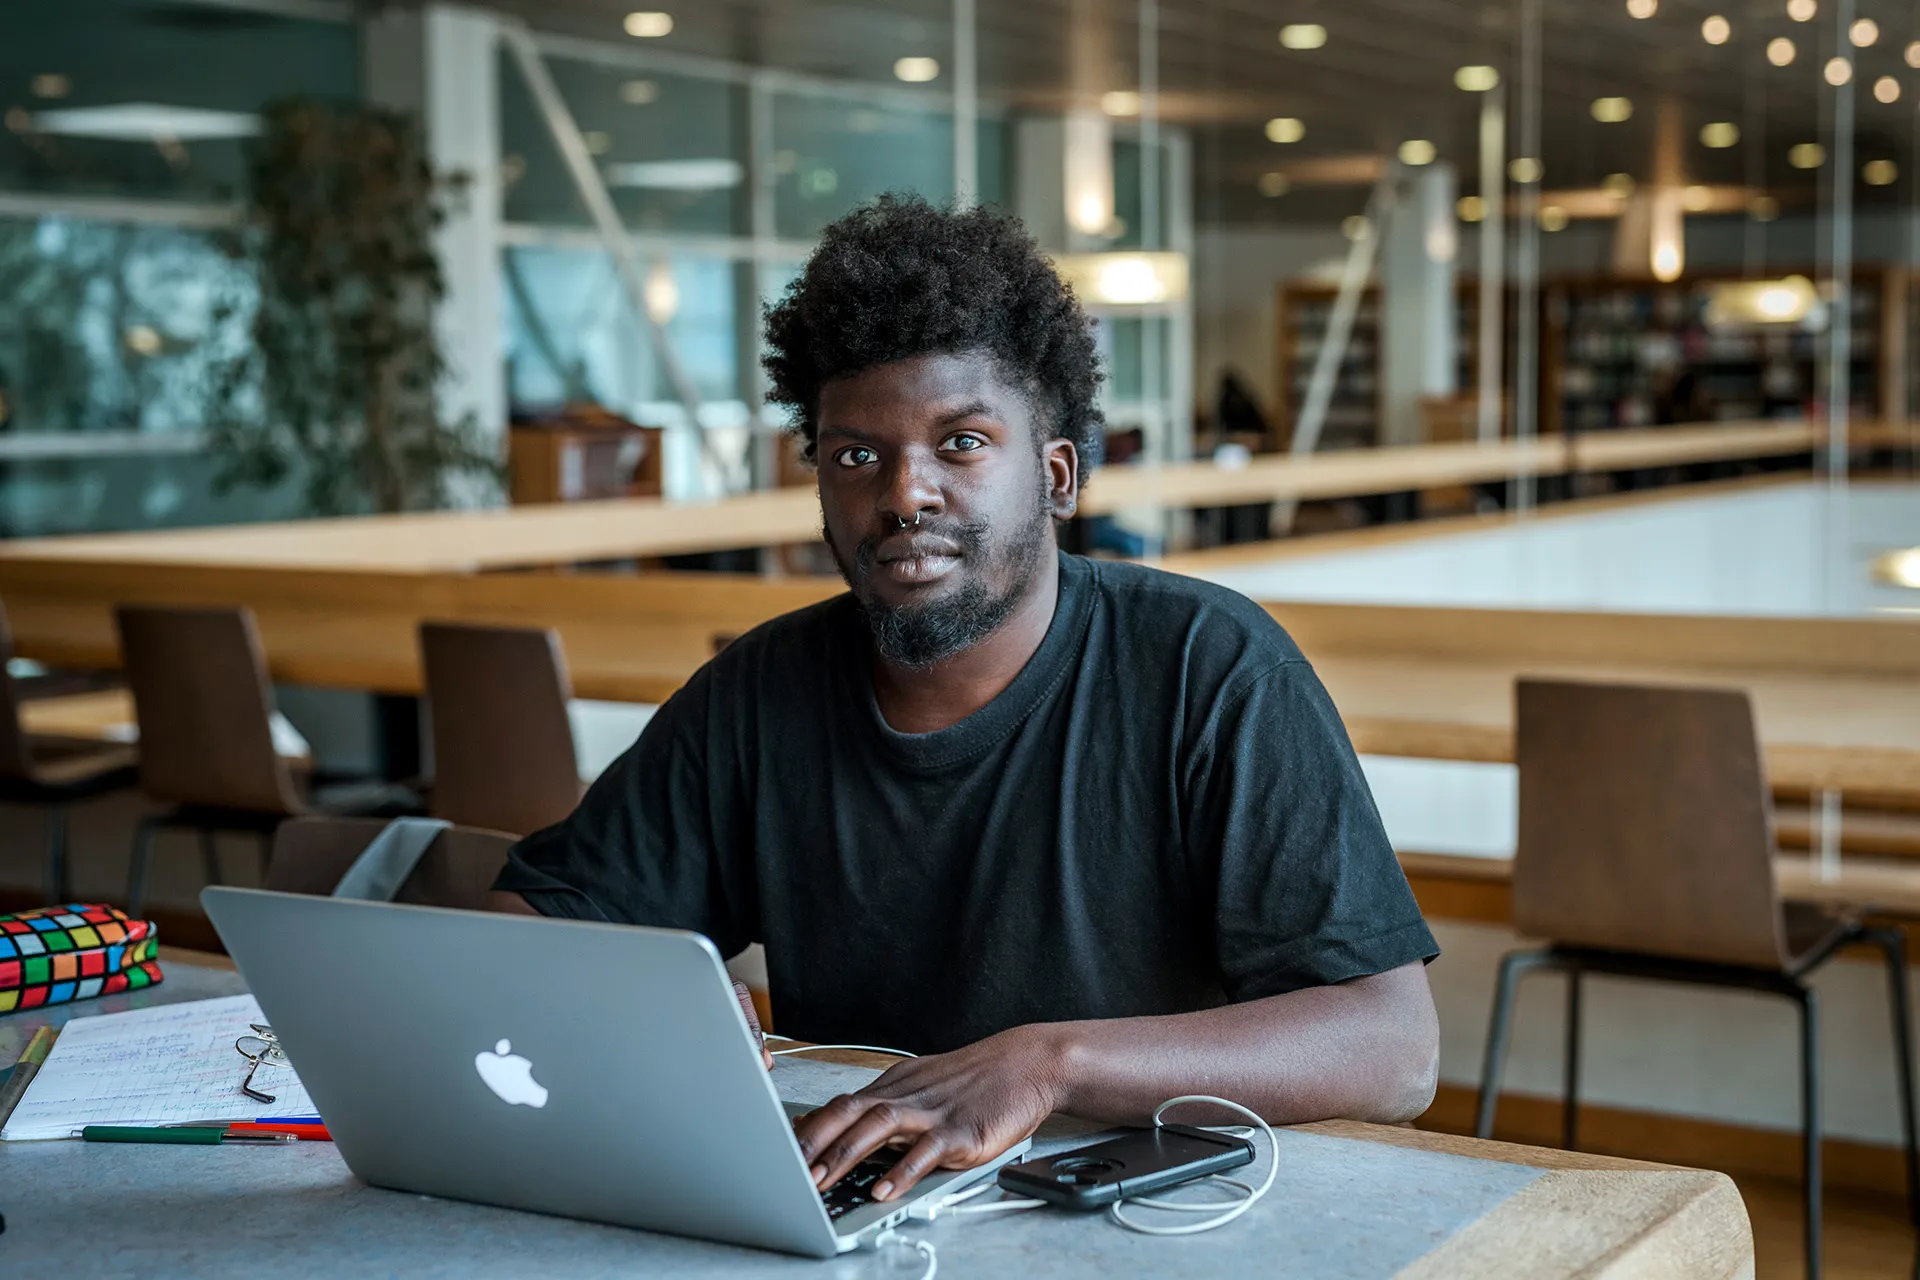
(201, 694)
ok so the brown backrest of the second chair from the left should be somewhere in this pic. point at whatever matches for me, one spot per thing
(201, 694)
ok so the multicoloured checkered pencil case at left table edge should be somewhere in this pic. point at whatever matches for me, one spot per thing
(74, 953)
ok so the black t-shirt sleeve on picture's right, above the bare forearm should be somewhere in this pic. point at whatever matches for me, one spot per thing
(1308, 889)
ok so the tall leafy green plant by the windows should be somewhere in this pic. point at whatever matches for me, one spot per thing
(339, 383)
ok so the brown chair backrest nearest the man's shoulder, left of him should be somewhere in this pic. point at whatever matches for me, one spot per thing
(504, 747)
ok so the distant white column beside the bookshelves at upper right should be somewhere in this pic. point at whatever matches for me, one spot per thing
(1418, 343)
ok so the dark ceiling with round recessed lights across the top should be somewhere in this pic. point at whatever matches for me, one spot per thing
(1385, 76)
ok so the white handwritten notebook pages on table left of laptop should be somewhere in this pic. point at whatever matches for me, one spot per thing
(162, 1066)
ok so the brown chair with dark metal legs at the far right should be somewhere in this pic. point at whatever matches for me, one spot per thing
(1646, 851)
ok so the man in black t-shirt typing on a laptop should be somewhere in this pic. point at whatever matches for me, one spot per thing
(1086, 836)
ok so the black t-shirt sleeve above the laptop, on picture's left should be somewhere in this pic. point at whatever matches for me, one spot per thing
(650, 843)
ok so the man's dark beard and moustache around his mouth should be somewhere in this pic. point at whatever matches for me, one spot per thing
(921, 636)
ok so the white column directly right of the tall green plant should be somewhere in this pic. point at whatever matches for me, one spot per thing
(443, 62)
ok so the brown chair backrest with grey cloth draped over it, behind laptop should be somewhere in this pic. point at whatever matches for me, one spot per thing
(310, 855)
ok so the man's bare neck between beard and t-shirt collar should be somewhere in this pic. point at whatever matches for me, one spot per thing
(946, 694)
